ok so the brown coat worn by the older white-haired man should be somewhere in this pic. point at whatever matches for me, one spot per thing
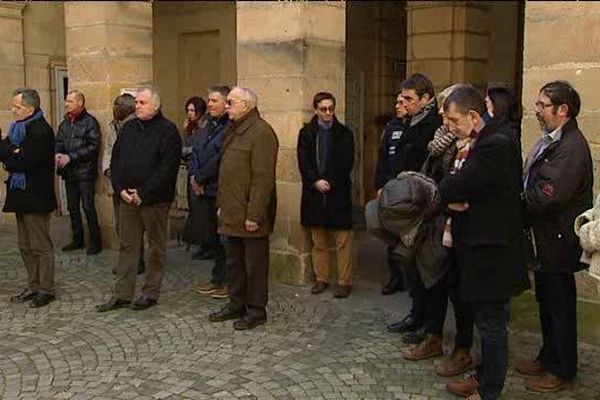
(247, 177)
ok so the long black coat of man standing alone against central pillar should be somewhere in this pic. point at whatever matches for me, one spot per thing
(331, 210)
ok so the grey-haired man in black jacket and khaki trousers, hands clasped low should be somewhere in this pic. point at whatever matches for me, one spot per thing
(144, 166)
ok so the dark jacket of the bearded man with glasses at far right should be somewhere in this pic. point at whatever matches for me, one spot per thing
(559, 188)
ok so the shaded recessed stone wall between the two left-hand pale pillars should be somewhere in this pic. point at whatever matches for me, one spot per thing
(194, 48)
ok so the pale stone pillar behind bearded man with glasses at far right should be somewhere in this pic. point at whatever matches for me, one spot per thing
(560, 44)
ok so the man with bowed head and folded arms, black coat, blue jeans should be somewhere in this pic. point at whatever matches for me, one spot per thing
(484, 201)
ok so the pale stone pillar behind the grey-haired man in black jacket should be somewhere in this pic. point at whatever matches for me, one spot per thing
(109, 47)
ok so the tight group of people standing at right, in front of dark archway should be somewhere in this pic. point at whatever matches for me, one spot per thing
(497, 217)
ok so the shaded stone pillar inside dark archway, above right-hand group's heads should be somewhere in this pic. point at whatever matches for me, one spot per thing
(449, 41)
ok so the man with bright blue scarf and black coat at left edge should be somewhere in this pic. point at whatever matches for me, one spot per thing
(27, 152)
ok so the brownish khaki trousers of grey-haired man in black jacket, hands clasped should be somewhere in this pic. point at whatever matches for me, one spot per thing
(133, 222)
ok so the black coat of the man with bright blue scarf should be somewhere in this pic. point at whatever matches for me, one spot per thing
(36, 159)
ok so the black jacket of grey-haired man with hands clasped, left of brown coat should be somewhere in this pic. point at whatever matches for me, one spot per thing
(146, 157)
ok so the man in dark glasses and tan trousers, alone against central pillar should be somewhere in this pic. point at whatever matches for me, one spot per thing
(325, 159)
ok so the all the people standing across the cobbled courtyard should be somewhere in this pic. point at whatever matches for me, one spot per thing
(496, 214)
